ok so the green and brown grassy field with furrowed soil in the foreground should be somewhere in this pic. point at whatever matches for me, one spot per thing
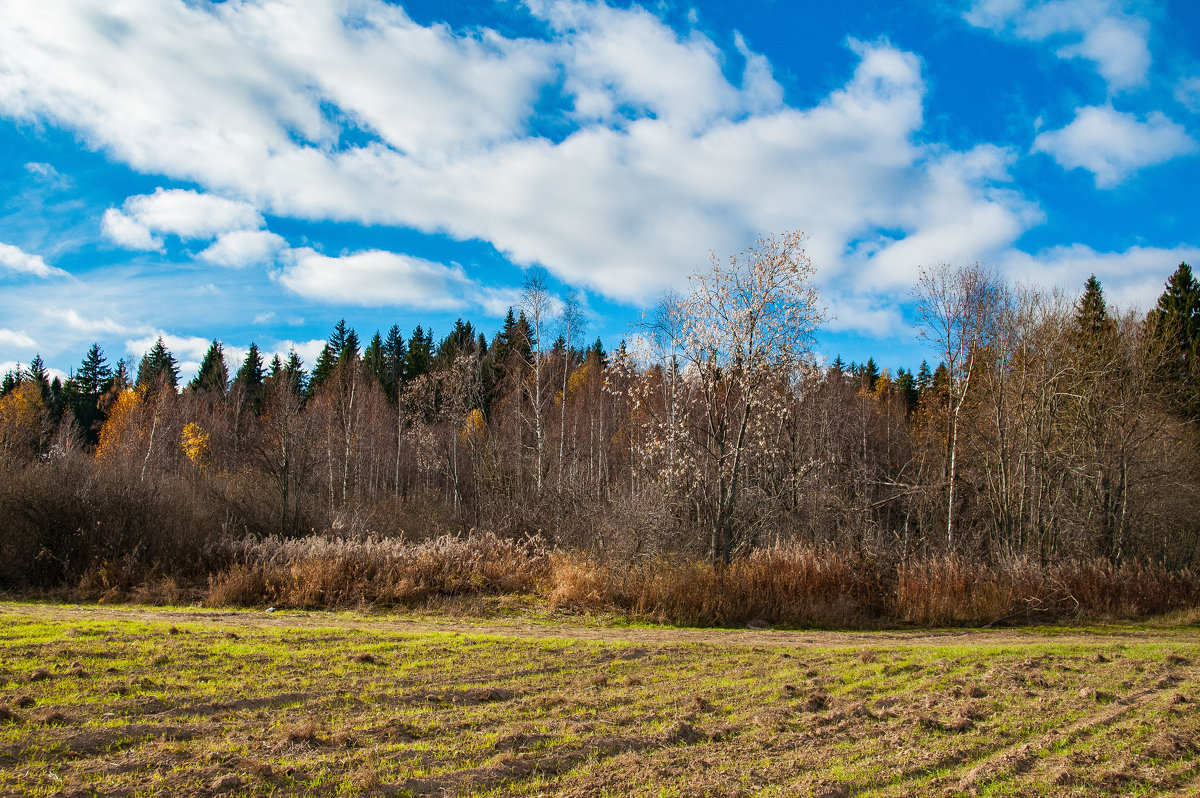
(139, 701)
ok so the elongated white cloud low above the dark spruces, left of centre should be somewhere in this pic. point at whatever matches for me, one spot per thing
(376, 278)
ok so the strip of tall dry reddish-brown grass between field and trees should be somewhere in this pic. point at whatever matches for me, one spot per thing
(794, 586)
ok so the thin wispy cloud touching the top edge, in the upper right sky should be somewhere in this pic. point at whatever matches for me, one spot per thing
(1096, 31)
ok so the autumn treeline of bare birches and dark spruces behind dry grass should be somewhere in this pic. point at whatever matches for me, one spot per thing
(1053, 431)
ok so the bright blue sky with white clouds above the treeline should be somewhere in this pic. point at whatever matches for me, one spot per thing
(255, 171)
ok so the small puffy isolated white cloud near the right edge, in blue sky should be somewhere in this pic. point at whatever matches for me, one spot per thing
(1112, 145)
